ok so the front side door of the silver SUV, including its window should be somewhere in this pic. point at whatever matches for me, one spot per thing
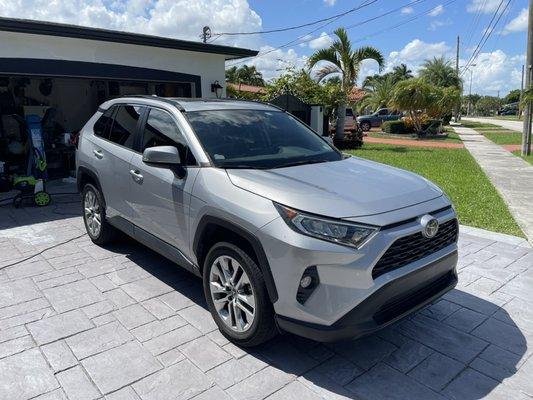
(160, 195)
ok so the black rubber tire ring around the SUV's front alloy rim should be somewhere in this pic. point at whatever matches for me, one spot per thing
(263, 309)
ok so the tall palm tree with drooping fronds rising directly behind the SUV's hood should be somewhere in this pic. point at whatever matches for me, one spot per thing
(340, 59)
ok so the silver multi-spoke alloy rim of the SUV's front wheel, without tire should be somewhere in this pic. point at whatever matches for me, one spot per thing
(232, 293)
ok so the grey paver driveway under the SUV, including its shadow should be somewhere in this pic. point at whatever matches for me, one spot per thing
(82, 322)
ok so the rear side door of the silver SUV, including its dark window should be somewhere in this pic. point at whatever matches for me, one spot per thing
(113, 150)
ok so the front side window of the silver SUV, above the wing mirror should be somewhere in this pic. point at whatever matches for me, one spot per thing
(161, 130)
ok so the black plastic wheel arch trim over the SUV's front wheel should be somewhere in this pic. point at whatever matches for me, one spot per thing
(212, 230)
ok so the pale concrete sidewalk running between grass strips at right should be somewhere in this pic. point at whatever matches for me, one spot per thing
(510, 175)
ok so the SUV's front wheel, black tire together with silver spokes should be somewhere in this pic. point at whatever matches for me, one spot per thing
(262, 327)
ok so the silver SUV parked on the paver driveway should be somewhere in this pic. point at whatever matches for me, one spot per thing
(287, 233)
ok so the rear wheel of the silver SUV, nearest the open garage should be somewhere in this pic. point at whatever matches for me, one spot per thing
(106, 233)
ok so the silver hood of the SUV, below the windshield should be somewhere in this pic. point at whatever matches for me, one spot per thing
(352, 187)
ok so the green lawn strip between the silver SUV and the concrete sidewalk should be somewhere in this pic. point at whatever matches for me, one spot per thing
(457, 173)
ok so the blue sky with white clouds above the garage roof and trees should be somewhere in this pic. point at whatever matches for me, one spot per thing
(498, 66)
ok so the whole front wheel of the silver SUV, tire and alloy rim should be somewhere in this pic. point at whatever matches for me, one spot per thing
(237, 297)
